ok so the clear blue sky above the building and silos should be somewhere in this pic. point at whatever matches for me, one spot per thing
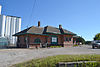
(79, 16)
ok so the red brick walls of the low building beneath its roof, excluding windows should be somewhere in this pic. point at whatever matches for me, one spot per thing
(44, 39)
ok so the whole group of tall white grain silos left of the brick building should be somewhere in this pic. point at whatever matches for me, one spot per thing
(9, 25)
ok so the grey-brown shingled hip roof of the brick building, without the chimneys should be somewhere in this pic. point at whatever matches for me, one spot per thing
(44, 30)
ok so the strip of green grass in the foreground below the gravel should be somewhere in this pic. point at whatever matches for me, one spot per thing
(51, 61)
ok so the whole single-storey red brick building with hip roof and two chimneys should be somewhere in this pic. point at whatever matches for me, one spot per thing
(36, 36)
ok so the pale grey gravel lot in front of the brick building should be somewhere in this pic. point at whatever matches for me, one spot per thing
(13, 56)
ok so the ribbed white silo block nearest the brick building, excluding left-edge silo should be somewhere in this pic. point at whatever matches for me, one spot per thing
(13, 25)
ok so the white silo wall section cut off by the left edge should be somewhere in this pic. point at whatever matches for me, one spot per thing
(2, 25)
